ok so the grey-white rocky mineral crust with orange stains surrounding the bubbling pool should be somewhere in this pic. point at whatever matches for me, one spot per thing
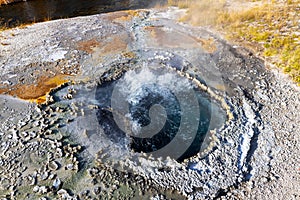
(57, 150)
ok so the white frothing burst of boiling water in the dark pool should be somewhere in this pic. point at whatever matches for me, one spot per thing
(149, 83)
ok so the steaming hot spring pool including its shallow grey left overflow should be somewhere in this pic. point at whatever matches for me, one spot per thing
(150, 110)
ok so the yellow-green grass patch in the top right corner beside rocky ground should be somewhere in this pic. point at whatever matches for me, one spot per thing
(271, 27)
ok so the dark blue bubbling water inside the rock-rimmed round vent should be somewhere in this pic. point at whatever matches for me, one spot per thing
(158, 110)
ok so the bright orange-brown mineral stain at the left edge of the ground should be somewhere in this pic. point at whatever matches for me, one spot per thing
(36, 92)
